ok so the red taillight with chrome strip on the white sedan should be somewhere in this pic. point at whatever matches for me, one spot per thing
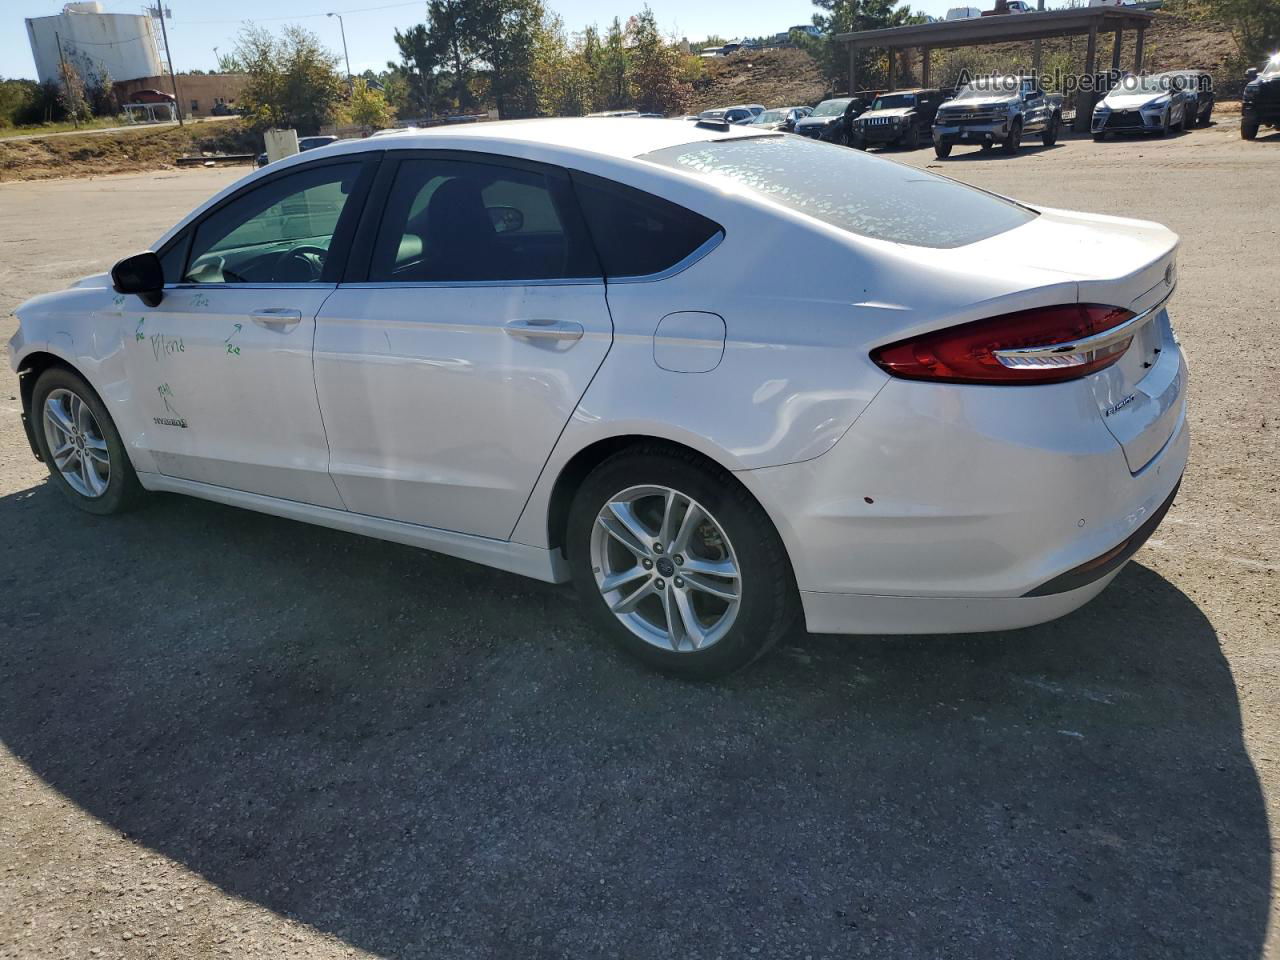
(1048, 345)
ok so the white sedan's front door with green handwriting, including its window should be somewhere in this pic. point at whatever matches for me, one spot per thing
(222, 365)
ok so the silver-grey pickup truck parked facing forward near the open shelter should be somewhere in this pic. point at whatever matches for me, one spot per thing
(1003, 111)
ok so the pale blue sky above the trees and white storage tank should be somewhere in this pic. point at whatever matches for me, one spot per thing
(199, 26)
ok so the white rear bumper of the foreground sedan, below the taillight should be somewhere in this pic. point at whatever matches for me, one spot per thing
(949, 510)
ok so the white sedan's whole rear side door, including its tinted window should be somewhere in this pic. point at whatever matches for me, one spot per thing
(449, 367)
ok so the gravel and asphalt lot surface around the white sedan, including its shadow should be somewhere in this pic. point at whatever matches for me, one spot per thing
(230, 735)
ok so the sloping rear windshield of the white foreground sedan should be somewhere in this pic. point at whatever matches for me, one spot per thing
(852, 190)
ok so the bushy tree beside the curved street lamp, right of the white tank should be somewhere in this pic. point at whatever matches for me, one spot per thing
(294, 81)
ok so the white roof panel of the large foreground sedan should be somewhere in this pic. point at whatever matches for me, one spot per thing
(605, 136)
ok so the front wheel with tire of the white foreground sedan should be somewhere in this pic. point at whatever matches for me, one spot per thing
(81, 446)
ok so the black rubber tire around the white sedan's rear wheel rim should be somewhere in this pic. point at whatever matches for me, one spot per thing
(769, 600)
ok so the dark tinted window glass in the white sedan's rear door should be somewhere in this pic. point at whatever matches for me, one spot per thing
(454, 221)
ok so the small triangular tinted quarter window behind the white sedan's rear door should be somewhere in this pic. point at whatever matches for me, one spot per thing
(637, 234)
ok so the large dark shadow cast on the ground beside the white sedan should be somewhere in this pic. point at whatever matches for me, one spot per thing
(428, 758)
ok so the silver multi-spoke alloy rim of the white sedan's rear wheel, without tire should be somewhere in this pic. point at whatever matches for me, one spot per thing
(666, 569)
